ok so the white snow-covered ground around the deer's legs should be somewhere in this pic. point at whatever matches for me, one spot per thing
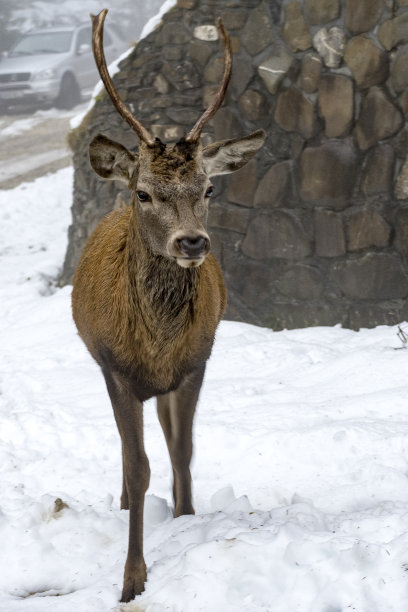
(300, 468)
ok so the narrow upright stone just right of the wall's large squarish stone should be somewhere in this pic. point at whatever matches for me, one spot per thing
(379, 170)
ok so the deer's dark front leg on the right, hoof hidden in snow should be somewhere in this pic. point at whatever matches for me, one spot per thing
(176, 414)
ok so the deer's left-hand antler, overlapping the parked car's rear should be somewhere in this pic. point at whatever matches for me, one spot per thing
(97, 46)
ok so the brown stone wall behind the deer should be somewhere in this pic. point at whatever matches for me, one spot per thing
(314, 231)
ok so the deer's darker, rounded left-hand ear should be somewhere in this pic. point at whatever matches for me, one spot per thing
(111, 160)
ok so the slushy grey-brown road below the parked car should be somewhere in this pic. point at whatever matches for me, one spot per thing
(33, 143)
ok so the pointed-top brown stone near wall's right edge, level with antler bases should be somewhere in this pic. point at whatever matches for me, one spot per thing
(379, 119)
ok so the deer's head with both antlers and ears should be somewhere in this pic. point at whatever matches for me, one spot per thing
(170, 185)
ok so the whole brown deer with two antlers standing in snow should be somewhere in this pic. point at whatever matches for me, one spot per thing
(148, 294)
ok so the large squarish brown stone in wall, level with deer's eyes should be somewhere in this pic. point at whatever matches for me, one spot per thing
(328, 173)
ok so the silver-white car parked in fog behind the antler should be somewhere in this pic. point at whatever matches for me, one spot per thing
(54, 66)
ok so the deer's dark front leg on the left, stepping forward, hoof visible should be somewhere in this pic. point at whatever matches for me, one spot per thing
(128, 412)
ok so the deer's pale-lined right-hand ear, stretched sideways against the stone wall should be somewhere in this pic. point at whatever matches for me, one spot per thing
(229, 155)
